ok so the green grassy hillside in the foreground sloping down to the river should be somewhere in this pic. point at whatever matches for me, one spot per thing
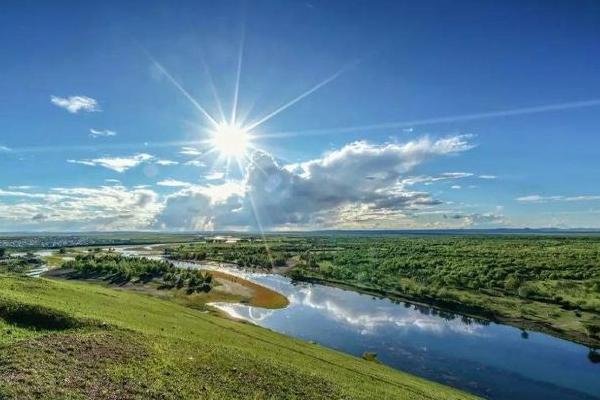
(144, 347)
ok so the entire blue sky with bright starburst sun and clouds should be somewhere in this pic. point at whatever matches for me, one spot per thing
(437, 114)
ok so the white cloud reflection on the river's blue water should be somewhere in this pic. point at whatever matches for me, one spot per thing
(348, 310)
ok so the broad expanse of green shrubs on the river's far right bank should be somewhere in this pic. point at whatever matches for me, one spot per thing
(564, 270)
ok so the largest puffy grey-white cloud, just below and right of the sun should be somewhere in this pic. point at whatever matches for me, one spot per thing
(362, 177)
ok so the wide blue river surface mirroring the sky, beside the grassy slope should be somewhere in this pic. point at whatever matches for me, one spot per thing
(491, 360)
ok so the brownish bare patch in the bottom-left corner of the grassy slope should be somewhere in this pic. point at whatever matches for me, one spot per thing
(70, 365)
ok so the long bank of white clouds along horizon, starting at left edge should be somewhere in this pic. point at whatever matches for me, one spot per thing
(358, 185)
